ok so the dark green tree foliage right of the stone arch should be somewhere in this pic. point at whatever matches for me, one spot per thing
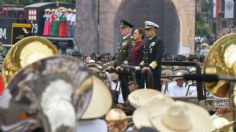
(202, 27)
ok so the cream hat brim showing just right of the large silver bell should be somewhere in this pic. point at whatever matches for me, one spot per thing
(101, 100)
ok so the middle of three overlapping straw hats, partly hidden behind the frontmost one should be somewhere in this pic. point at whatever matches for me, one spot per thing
(140, 117)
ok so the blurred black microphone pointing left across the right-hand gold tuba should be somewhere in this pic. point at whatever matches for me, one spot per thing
(208, 77)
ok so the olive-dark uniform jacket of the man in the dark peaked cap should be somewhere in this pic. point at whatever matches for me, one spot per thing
(124, 50)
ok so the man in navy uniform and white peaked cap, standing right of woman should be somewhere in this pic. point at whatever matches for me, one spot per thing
(153, 53)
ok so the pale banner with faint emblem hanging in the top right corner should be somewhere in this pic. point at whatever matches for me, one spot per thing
(229, 9)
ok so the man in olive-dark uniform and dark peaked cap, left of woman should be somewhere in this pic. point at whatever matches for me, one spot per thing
(123, 54)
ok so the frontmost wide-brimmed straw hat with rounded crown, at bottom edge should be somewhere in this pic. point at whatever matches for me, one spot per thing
(179, 117)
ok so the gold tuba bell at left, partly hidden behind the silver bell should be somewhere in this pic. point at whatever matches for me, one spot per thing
(25, 52)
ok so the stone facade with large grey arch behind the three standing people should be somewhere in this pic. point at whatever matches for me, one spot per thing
(98, 23)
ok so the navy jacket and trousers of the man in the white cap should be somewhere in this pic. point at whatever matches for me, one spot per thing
(153, 50)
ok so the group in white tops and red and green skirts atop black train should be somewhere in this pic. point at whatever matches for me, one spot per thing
(59, 22)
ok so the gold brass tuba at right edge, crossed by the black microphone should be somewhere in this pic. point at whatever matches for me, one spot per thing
(221, 60)
